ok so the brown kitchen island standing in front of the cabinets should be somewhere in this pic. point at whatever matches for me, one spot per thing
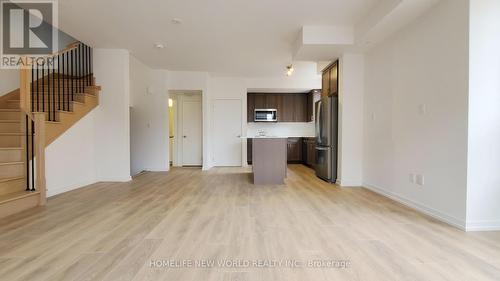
(269, 160)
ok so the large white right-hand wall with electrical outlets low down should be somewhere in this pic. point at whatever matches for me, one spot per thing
(424, 64)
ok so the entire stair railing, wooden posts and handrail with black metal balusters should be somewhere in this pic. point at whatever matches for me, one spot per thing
(81, 68)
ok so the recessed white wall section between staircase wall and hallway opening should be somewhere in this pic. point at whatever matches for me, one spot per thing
(148, 119)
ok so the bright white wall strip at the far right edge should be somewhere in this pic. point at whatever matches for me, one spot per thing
(483, 177)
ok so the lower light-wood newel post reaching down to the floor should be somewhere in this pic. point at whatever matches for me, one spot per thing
(39, 118)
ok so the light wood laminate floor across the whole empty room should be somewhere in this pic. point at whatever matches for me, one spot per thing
(113, 231)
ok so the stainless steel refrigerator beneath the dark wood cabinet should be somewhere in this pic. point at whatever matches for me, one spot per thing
(326, 120)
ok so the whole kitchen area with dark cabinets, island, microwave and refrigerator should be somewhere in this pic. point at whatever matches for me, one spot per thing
(294, 128)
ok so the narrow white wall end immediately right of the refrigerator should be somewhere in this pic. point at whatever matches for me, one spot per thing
(350, 138)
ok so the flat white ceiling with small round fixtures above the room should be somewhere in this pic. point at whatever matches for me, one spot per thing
(234, 37)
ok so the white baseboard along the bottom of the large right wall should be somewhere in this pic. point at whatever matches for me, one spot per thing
(419, 207)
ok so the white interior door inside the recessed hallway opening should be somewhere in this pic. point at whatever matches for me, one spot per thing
(191, 133)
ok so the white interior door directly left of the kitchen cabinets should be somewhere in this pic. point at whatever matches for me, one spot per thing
(227, 132)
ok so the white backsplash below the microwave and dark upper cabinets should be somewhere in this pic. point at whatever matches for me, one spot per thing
(281, 129)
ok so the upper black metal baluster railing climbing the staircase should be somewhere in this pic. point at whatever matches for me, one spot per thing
(54, 87)
